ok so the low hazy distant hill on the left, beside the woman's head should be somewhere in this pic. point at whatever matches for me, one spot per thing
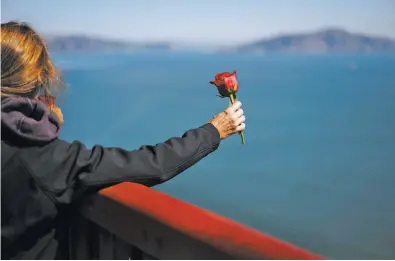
(77, 43)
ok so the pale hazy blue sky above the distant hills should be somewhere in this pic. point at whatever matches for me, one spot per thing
(202, 21)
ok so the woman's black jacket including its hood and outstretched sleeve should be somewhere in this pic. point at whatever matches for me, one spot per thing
(42, 175)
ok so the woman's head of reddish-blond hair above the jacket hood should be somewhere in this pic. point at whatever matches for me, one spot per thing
(26, 66)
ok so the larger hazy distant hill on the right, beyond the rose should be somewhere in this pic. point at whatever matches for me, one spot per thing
(324, 41)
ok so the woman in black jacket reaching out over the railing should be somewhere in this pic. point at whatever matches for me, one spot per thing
(42, 174)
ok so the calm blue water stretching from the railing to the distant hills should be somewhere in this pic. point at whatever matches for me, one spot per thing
(318, 169)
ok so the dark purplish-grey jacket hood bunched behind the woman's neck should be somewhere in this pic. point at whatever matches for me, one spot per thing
(29, 120)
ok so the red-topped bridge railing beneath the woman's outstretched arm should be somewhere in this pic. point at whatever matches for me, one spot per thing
(130, 221)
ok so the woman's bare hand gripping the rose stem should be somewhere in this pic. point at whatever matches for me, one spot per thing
(229, 121)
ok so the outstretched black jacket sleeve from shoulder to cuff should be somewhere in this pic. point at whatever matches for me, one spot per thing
(74, 168)
